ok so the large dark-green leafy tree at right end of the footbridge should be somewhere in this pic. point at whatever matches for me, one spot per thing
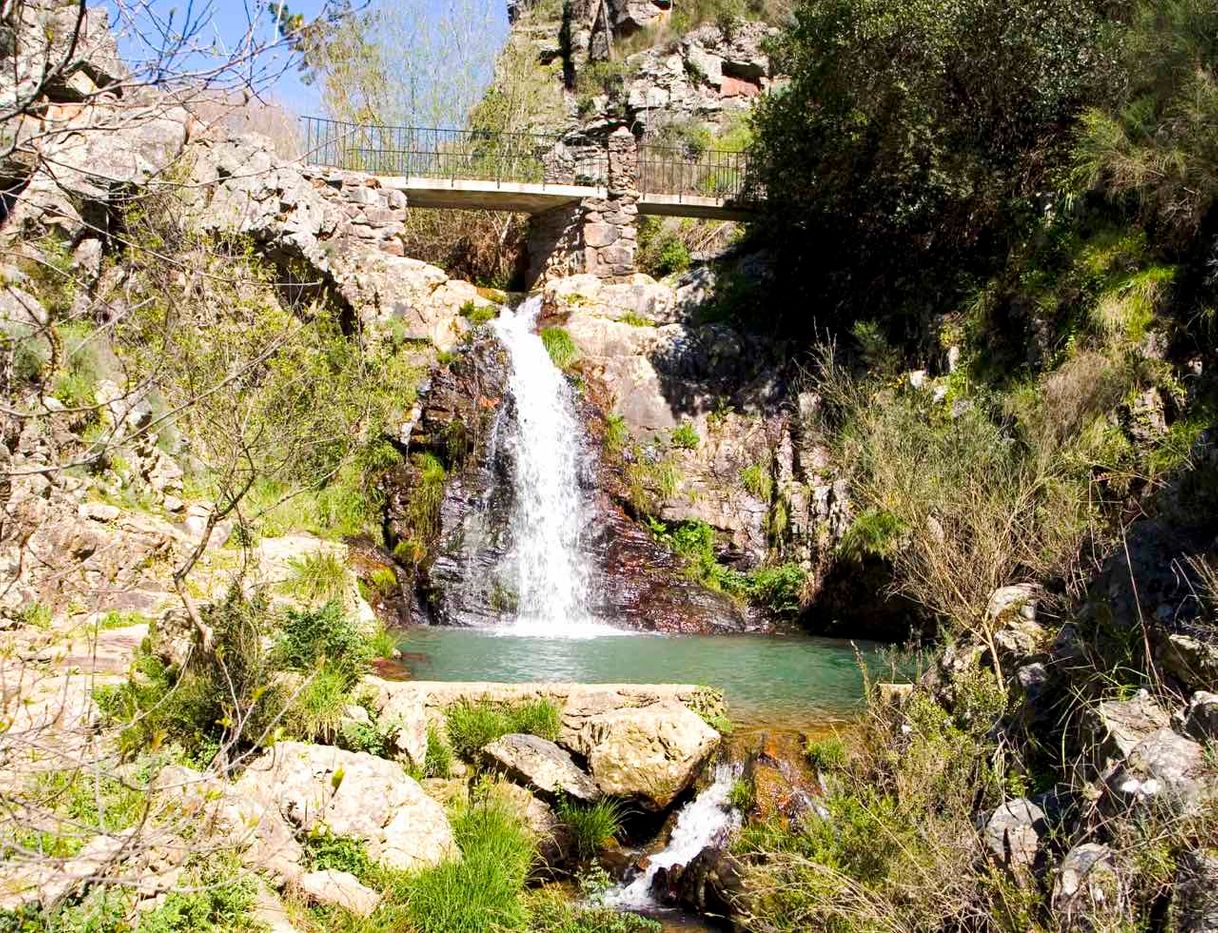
(913, 139)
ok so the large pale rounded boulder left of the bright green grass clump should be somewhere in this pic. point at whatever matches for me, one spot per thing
(348, 794)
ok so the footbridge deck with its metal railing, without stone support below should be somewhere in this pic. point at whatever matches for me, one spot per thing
(533, 174)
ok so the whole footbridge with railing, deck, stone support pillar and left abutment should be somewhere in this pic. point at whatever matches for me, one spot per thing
(584, 191)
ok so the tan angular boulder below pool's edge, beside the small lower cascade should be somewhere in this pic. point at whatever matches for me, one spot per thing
(650, 753)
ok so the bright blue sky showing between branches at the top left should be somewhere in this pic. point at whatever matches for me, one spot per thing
(222, 25)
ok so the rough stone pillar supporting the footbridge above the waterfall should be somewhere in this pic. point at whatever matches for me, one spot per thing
(599, 236)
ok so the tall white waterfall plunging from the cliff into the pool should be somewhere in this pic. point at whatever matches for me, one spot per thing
(549, 562)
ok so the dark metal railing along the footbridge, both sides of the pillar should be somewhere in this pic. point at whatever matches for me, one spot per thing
(518, 158)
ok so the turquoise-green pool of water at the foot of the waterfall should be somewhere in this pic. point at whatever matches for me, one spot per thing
(794, 679)
